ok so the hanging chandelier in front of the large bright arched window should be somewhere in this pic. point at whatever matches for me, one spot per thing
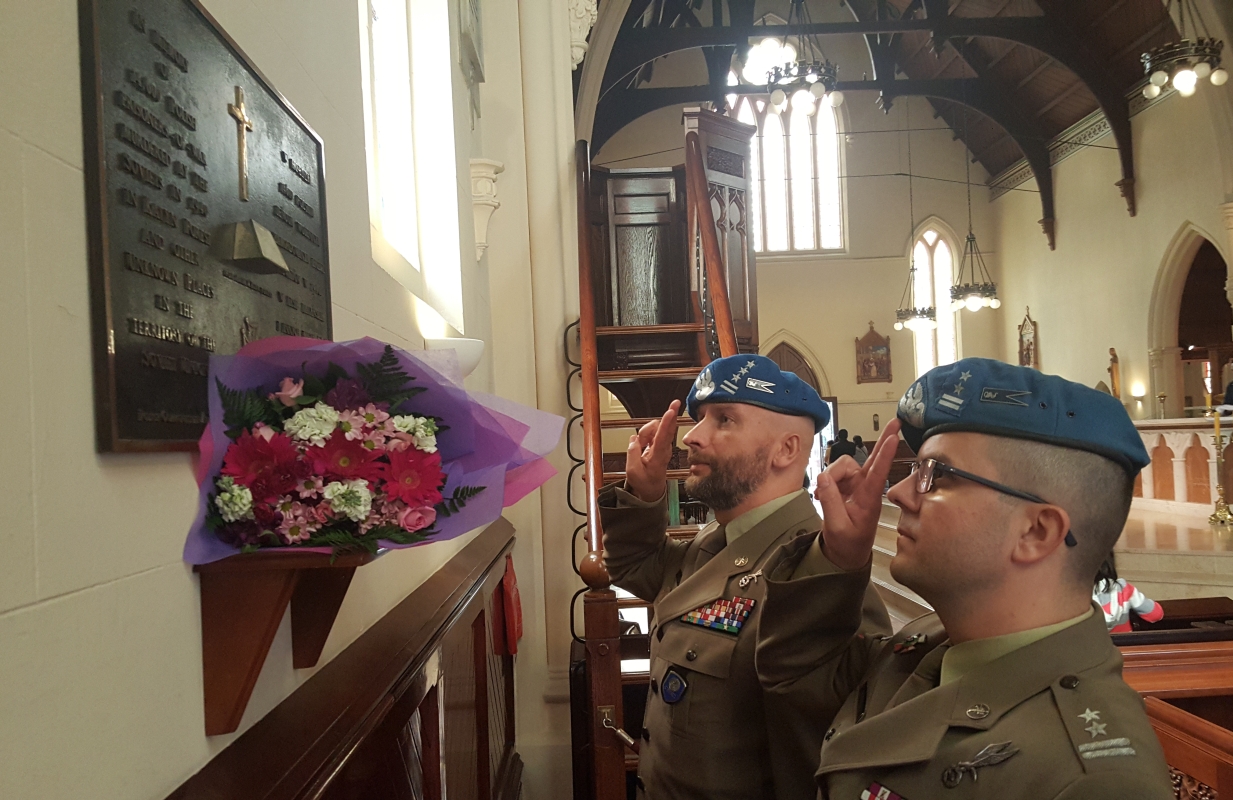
(800, 73)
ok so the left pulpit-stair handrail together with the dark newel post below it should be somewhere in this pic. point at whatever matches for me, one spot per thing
(600, 605)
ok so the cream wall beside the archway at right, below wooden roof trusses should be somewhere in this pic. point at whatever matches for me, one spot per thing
(1096, 290)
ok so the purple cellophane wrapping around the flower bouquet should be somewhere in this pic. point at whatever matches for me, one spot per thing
(491, 442)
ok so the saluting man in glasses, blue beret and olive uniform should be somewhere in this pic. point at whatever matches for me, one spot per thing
(1013, 687)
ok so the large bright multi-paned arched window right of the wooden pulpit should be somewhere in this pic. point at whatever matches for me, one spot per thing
(795, 172)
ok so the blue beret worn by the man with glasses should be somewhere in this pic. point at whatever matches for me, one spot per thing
(992, 398)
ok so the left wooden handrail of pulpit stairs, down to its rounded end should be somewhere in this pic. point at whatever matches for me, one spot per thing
(592, 568)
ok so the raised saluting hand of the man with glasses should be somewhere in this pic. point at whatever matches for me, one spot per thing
(851, 499)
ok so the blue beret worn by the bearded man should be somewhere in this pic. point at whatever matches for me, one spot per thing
(756, 380)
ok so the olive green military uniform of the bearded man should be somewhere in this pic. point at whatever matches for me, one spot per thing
(722, 738)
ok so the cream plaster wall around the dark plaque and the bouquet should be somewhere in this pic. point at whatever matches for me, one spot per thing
(100, 651)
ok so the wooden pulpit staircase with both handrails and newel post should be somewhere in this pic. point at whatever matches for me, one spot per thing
(604, 759)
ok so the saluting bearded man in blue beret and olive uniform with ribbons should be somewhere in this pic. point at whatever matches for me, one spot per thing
(710, 730)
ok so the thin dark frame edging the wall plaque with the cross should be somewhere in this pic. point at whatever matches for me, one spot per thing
(108, 437)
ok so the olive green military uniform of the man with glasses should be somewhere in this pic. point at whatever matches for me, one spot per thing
(1050, 720)
